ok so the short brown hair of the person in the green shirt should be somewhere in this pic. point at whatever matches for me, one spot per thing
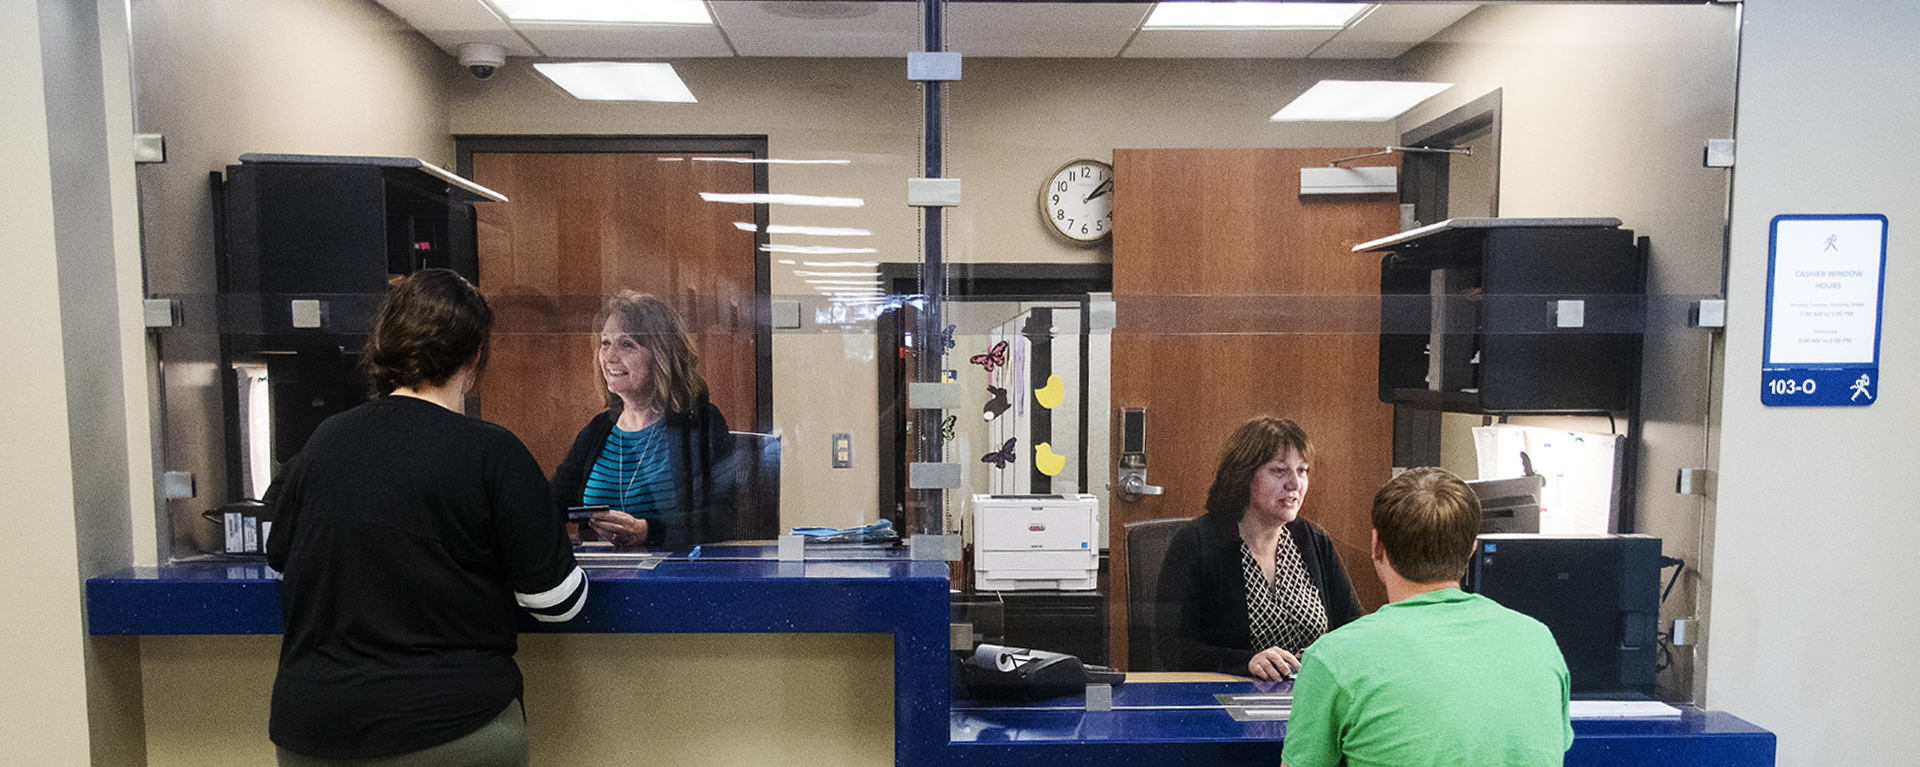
(1428, 522)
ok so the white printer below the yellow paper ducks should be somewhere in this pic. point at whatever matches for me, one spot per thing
(1036, 543)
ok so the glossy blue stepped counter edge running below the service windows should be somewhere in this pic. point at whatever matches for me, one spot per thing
(901, 599)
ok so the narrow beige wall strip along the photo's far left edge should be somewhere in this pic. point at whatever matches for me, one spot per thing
(45, 712)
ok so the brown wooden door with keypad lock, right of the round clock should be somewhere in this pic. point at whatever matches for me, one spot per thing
(1237, 297)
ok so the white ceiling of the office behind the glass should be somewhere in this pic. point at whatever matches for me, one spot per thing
(894, 28)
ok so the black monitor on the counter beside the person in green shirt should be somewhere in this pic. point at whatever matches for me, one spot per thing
(1598, 595)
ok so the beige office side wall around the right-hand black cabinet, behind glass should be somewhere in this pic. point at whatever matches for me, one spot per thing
(1606, 112)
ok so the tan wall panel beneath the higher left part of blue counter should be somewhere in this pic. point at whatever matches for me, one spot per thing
(592, 699)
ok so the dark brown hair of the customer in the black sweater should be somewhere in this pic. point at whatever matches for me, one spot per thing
(427, 330)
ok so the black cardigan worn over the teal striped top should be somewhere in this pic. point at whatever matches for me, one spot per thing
(702, 447)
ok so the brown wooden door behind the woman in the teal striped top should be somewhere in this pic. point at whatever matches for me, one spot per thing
(583, 226)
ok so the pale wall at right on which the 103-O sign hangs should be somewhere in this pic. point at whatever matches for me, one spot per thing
(1813, 612)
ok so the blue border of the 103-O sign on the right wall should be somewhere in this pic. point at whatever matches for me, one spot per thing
(1842, 385)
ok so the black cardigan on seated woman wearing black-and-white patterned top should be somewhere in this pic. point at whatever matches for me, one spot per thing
(1203, 593)
